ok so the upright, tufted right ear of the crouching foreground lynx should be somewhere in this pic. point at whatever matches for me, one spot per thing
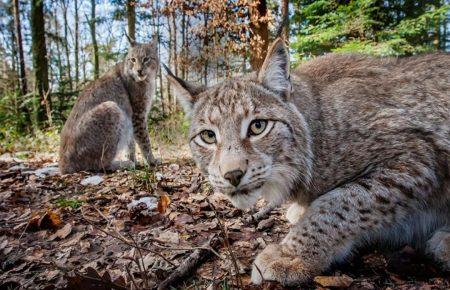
(274, 73)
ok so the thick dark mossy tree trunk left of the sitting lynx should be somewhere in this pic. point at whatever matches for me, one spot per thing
(40, 62)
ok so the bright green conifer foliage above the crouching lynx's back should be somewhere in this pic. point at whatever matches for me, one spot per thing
(382, 28)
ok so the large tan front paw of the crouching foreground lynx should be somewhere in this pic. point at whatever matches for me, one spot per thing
(275, 263)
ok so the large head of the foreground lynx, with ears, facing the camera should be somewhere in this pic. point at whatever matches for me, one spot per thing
(246, 135)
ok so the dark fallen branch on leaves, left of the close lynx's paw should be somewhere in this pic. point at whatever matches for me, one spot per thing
(191, 262)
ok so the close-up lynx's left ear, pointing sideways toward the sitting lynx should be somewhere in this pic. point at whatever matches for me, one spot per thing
(185, 91)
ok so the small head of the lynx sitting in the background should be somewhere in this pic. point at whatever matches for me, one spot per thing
(141, 62)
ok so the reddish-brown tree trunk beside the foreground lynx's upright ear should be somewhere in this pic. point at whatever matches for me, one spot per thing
(259, 29)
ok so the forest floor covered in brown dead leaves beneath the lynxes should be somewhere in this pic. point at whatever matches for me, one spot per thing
(131, 229)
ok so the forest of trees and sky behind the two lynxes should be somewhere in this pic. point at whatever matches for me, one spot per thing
(51, 49)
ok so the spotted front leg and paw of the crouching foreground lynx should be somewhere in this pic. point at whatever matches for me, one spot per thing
(338, 220)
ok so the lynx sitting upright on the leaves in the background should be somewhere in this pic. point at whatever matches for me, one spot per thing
(107, 114)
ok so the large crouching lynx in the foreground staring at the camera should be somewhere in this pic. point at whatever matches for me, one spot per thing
(363, 144)
